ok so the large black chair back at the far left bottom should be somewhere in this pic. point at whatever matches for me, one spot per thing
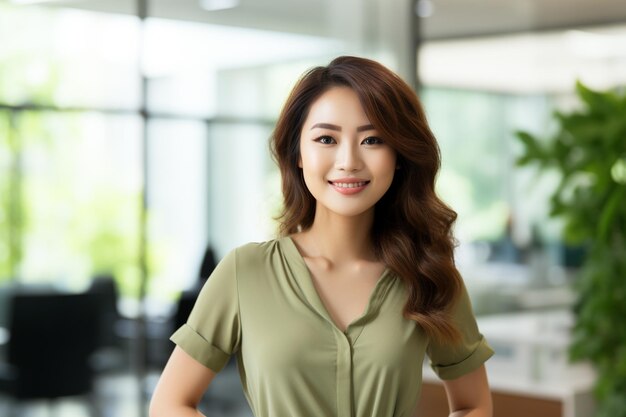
(52, 337)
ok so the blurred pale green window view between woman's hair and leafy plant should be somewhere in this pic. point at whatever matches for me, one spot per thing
(475, 130)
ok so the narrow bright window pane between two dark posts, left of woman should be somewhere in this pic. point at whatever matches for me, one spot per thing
(178, 196)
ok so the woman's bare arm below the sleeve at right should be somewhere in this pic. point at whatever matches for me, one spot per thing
(469, 395)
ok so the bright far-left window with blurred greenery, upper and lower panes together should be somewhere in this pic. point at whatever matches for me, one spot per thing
(70, 180)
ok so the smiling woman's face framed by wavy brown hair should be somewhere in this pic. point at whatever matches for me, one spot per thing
(347, 167)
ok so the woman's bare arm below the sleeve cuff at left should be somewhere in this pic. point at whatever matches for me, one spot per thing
(181, 386)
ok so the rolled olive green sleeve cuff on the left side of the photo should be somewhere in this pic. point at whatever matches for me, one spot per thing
(199, 348)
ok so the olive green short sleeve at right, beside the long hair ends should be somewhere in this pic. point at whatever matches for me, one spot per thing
(452, 361)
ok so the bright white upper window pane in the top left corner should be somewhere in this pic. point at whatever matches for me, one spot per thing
(68, 58)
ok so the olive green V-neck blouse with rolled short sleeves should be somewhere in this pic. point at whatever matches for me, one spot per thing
(260, 304)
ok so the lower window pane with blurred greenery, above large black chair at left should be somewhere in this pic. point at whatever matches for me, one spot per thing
(80, 193)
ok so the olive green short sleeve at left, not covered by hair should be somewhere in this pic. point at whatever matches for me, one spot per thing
(213, 331)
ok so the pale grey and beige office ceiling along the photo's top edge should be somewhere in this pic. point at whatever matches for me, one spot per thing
(450, 18)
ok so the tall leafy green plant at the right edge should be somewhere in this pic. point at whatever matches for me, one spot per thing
(589, 151)
